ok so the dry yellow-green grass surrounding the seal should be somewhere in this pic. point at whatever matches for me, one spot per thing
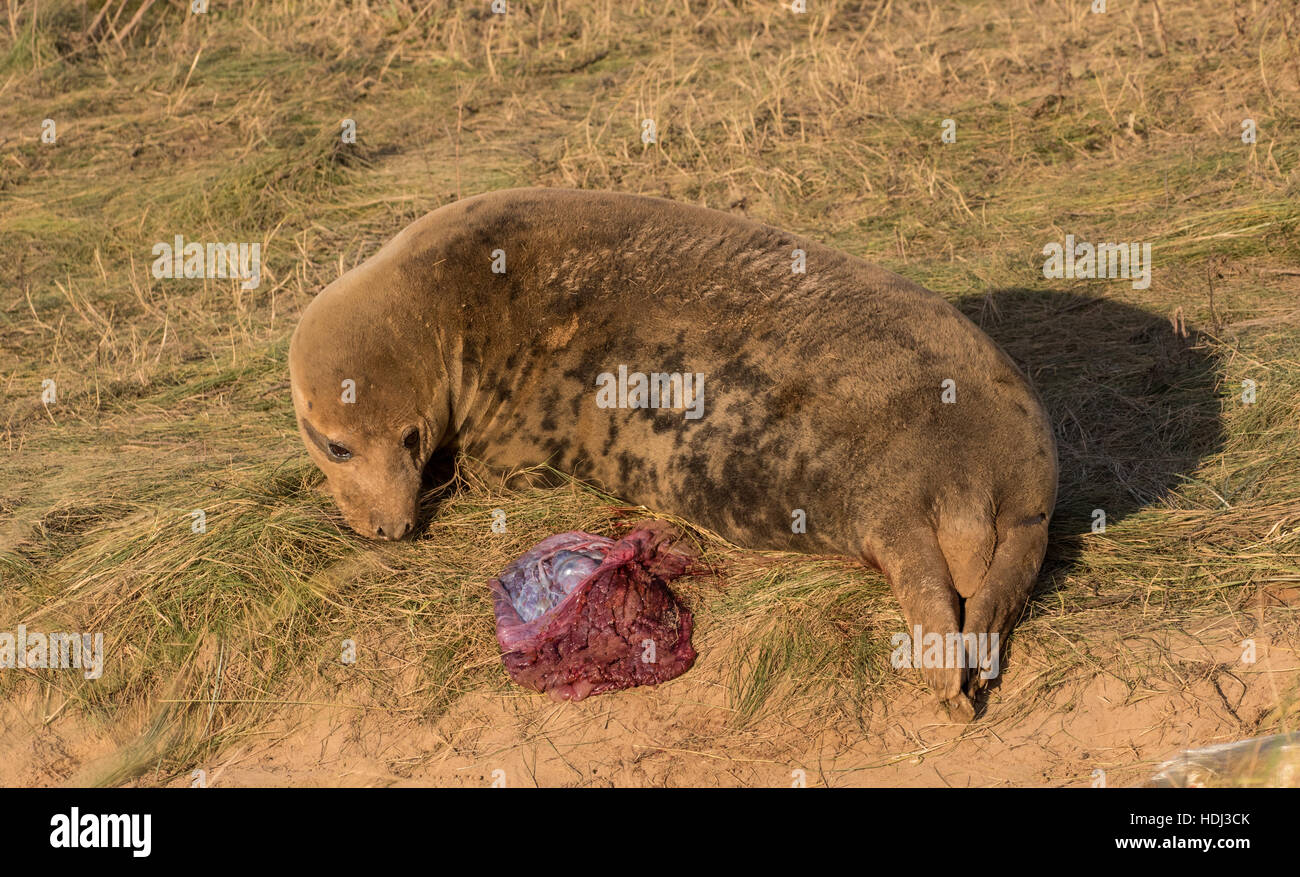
(174, 394)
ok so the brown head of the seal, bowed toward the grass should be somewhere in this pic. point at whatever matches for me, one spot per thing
(366, 406)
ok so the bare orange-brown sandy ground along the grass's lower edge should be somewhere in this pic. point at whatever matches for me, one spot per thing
(682, 735)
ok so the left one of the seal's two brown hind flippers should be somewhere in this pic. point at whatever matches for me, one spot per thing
(920, 579)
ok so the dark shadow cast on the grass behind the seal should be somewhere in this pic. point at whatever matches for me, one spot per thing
(1133, 402)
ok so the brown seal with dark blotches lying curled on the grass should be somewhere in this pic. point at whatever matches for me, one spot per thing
(822, 392)
